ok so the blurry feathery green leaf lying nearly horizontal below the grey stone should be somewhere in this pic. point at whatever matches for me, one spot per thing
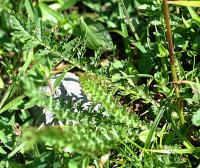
(80, 138)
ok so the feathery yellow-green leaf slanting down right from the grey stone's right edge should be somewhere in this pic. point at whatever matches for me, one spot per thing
(91, 86)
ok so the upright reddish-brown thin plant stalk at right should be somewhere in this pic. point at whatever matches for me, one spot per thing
(173, 61)
